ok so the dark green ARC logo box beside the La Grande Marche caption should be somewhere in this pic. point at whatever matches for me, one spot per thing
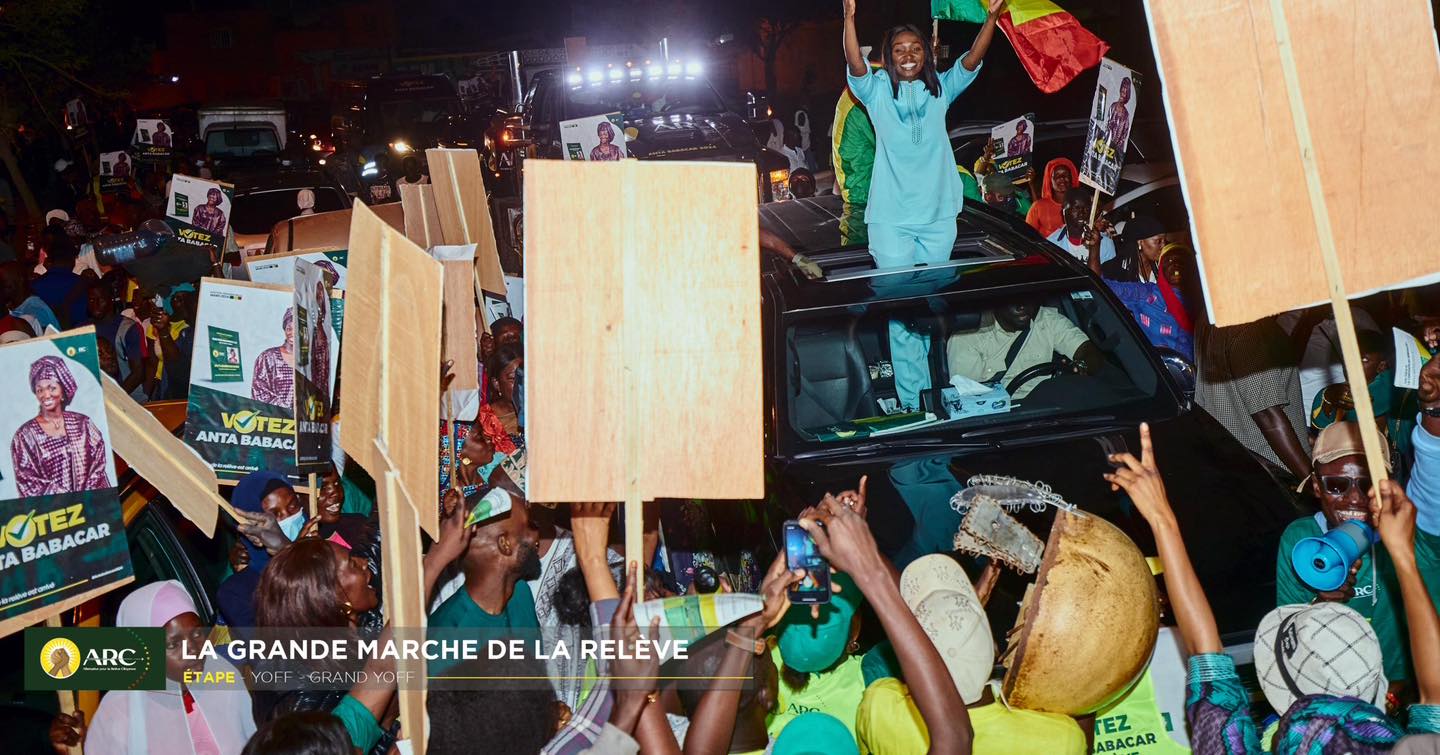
(94, 659)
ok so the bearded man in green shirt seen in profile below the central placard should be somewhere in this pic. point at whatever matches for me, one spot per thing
(503, 553)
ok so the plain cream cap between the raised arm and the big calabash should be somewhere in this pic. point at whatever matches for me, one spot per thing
(944, 602)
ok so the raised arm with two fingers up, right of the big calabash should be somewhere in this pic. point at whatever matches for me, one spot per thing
(1143, 482)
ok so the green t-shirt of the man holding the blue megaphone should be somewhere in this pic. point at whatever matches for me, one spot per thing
(1386, 612)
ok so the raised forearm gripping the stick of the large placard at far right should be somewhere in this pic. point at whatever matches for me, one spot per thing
(1396, 518)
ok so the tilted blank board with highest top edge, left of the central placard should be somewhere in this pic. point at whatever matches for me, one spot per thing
(464, 211)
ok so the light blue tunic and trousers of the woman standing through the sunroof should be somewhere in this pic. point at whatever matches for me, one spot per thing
(915, 195)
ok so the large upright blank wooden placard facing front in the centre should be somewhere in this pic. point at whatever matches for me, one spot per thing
(643, 273)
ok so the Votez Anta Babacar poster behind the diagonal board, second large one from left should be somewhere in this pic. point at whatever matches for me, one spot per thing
(241, 416)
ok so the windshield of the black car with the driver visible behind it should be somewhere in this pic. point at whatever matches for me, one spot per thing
(996, 361)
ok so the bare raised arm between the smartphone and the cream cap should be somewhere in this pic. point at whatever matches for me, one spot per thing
(847, 544)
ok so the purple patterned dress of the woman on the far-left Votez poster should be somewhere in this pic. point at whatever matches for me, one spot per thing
(51, 466)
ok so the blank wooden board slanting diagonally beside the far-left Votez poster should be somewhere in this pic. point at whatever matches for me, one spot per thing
(163, 460)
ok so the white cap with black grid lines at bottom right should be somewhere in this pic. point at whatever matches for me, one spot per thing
(1318, 649)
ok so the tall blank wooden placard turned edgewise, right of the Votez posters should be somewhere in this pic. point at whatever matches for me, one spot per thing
(391, 377)
